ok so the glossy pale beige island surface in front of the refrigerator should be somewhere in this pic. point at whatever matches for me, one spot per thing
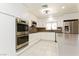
(68, 44)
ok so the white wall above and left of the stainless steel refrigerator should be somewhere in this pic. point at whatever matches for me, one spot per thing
(67, 17)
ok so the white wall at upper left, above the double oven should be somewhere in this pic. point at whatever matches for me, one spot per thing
(18, 10)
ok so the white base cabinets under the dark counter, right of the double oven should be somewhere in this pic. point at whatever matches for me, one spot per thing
(41, 36)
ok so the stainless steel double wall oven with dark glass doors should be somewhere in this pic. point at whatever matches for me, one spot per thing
(22, 36)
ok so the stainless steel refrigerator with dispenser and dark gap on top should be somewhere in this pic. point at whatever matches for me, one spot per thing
(71, 26)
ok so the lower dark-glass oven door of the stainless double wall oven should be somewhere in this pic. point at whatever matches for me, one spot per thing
(22, 41)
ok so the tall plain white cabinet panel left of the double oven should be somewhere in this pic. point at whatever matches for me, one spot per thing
(7, 35)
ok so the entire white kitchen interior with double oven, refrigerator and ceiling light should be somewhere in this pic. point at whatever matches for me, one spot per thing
(39, 29)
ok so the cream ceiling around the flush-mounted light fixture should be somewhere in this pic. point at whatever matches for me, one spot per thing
(58, 9)
